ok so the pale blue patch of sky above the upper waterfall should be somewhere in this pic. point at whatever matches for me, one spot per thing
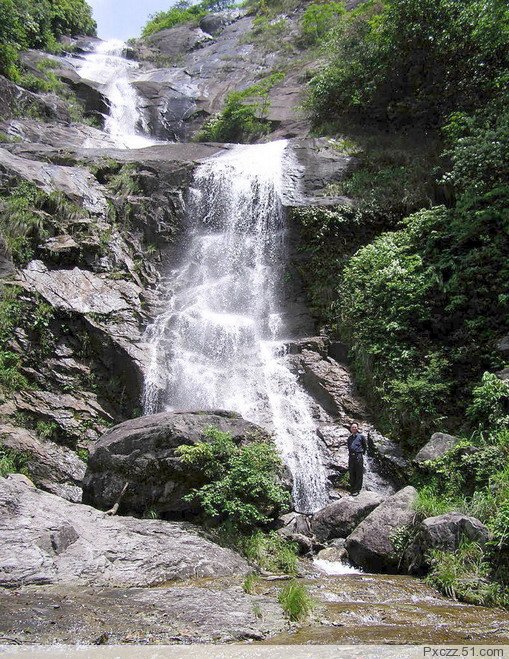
(122, 19)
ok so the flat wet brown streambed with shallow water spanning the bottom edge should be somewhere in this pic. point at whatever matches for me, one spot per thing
(352, 609)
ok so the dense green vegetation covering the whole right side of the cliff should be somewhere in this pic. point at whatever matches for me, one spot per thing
(413, 275)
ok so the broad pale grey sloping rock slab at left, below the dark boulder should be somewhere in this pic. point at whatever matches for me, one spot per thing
(45, 539)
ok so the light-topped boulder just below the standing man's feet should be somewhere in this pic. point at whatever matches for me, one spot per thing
(339, 519)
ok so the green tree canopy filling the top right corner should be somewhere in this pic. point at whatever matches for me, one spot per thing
(413, 60)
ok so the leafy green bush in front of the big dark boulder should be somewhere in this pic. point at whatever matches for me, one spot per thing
(241, 486)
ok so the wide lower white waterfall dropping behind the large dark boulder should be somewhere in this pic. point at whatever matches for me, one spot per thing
(219, 342)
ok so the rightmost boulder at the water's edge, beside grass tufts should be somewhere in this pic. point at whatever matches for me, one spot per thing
(442, 532)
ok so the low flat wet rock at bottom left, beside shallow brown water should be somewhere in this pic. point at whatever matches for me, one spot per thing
(219, 612)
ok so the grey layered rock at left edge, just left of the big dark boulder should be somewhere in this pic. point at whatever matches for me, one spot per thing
(53, 468)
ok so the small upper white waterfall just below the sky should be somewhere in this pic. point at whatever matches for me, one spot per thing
(107, 66)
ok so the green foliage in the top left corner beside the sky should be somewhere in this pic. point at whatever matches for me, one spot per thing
(38, 24)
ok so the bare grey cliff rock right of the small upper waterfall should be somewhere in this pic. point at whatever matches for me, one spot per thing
(203, 64)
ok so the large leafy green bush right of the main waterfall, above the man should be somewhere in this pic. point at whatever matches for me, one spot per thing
(423, 306)
